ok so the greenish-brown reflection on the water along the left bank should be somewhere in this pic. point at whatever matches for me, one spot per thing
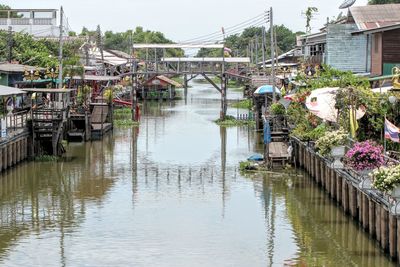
(37, 197)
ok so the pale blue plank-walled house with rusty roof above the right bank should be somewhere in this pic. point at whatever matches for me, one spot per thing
(366, 41)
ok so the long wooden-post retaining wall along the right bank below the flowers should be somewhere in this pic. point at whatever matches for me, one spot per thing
(364, 206)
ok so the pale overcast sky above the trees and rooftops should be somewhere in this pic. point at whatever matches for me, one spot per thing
(182, 19)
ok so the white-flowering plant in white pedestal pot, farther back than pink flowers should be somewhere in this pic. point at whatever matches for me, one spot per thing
(332, 143)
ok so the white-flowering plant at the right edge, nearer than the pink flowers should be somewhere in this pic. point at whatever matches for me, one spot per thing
(387, 179)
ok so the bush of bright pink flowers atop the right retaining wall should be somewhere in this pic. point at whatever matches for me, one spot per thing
(365, 155)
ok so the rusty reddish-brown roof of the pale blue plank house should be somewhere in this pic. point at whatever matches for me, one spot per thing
(375, 16)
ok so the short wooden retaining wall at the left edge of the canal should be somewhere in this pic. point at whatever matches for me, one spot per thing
(13, 151)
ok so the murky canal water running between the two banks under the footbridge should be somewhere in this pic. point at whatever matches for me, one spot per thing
(169, 193)
